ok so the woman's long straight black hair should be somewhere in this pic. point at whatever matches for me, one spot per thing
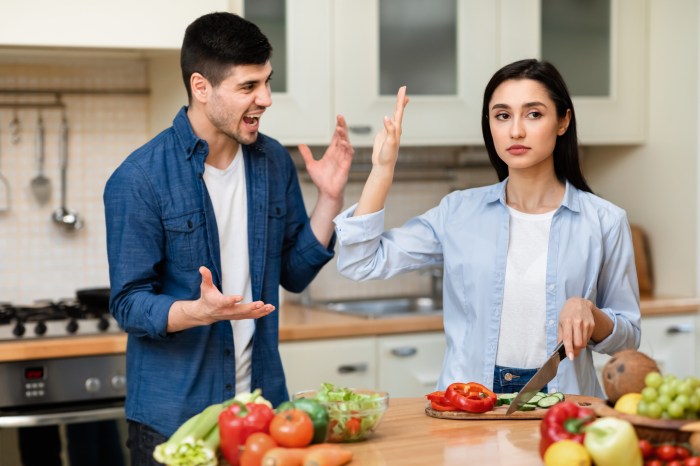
(566, 159)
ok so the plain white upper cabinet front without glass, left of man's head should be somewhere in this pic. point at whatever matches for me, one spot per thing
(152, 24)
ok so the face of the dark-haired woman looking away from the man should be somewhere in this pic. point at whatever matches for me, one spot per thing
(524, 124)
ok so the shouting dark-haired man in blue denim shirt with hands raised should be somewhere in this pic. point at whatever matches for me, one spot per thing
(204, 223)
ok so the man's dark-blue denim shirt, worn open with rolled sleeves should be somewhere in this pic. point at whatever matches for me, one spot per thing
(160, 229)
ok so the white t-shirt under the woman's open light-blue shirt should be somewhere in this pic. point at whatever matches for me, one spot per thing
(522, 342)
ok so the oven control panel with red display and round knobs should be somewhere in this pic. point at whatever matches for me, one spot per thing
(62, 380)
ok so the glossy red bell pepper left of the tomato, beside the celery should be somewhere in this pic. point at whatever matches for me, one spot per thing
(237, 423)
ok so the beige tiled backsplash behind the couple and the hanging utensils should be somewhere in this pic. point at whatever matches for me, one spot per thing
(38, 260)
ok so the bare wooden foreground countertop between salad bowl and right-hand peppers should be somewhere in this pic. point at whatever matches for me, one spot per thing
(407, 436)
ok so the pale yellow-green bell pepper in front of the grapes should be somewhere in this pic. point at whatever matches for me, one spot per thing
(612, 442)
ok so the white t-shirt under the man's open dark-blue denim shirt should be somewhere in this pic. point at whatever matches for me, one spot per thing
(227, 190)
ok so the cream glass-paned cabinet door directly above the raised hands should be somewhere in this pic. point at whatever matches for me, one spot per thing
(365, 43)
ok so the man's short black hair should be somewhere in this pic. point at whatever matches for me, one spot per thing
(215, 42)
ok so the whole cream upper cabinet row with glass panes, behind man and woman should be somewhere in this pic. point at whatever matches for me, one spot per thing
(350, 57)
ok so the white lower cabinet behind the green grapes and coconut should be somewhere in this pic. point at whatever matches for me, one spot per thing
(670, 340)
